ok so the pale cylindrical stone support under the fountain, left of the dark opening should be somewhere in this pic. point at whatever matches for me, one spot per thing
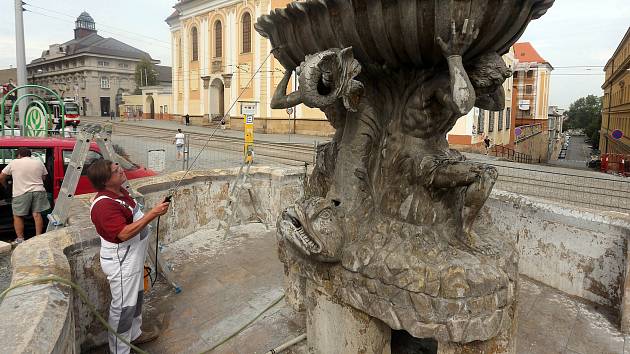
(335, 328)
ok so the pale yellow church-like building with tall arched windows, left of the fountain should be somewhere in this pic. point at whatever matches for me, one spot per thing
(219, 61)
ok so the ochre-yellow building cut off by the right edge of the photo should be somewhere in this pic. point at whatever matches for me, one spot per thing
(616, 103)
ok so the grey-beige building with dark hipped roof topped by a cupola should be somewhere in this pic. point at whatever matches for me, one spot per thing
(93, 70)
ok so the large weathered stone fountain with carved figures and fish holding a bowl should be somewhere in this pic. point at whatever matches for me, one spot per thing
(389, 241)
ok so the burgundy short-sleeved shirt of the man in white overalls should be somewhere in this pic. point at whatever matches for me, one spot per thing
(110, 217)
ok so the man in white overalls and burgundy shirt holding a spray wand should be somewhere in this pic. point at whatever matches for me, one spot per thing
(123, 228)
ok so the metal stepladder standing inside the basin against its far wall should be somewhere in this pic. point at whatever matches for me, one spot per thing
(231, 208)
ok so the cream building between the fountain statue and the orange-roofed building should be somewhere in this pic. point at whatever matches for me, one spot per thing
(470, 130)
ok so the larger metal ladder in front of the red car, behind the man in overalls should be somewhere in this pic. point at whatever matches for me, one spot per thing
(91, 132)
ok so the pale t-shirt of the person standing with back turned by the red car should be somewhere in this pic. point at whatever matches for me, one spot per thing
(27, 175)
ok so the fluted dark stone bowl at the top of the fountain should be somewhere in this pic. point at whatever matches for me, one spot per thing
(394, 33)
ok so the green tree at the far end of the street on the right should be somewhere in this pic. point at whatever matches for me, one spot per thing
(586, 113)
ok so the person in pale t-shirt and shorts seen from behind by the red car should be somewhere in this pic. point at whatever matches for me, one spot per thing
(29, 193)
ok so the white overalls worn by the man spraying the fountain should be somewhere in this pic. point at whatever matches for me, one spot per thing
(123, 263)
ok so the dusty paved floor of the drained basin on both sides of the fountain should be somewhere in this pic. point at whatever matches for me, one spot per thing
(228, 282)
